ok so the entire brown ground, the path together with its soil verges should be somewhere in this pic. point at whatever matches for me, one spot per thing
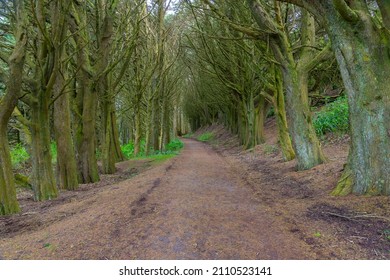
(207, 203)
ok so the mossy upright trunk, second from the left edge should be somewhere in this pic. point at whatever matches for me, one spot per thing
(46, 73)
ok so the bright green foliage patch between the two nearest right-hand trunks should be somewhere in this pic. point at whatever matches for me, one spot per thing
(333, 117)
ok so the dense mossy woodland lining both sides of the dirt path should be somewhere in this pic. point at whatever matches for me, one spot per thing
(91, 76)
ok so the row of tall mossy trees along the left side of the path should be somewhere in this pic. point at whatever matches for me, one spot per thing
(85, 75)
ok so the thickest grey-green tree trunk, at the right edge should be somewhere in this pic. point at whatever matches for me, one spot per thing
(363, 54)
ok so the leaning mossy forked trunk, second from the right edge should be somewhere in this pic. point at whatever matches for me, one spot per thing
(306, 145)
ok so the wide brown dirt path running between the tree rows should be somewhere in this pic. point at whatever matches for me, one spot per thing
(194, 206)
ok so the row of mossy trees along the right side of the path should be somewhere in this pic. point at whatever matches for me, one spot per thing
(248, 55)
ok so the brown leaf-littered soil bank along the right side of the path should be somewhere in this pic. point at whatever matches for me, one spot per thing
(349, 227)
